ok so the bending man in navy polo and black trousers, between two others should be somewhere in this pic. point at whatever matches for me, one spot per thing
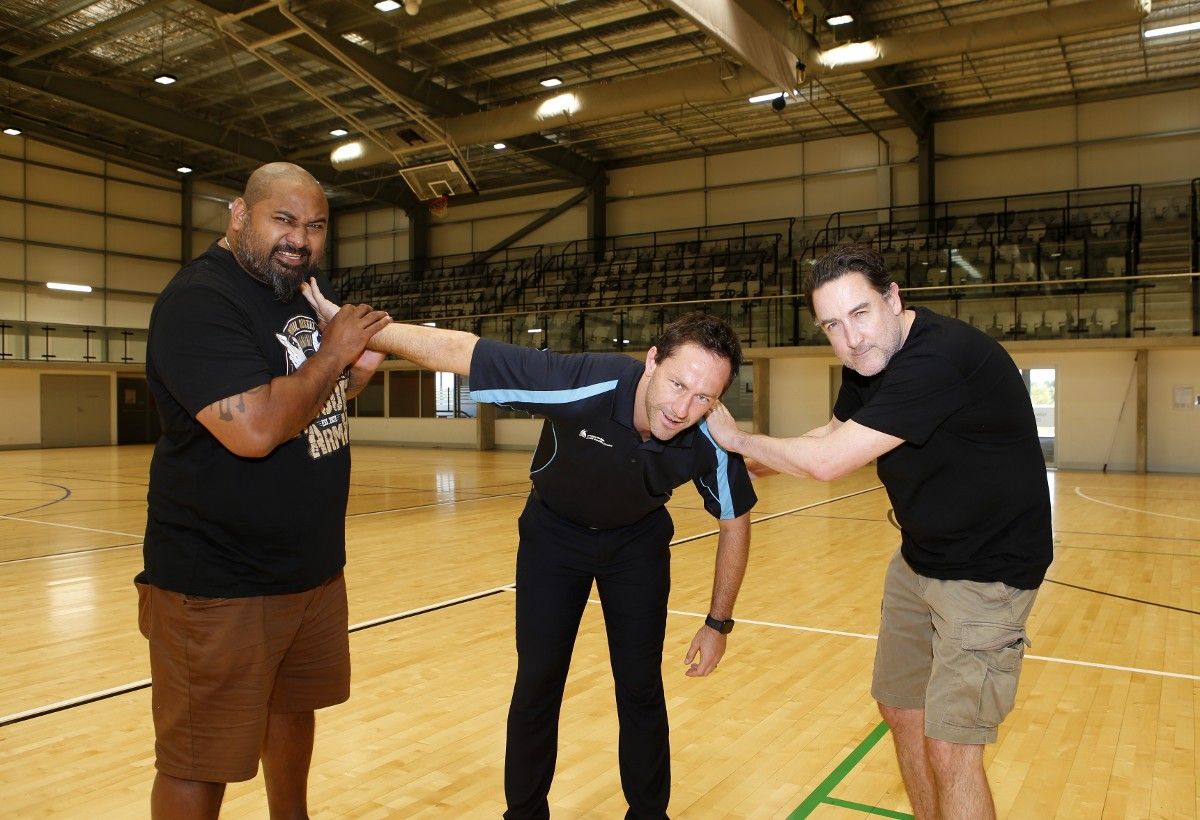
(620, 436)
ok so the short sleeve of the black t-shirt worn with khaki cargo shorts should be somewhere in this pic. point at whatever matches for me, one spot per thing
(917, 393)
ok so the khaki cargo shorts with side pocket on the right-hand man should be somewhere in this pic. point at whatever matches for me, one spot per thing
(952, 649)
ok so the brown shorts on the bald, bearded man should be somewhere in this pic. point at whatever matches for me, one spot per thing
(220, 666)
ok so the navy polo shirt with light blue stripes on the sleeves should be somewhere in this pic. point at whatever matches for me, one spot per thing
(591, 466)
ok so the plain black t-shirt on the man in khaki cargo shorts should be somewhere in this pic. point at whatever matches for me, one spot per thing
(969, 484)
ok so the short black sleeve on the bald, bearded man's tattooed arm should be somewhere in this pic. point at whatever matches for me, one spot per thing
(205, 349)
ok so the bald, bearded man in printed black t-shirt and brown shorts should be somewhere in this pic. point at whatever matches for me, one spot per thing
(243, 598)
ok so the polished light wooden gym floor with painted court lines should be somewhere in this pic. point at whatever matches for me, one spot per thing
(1106, 725)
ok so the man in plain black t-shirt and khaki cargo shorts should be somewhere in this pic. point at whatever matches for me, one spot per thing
(945, 410)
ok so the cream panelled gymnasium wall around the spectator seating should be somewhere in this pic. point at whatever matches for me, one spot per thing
(64, 216)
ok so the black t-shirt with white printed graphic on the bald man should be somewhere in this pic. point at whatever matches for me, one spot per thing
(223, 525)
